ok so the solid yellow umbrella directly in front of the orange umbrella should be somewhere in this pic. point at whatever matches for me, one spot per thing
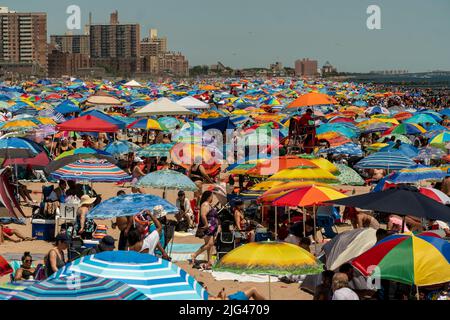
(310, 174)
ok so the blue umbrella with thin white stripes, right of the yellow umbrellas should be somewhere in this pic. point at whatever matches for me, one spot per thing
(392, 160)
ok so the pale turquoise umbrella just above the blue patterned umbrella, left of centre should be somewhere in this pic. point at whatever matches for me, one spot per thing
(167, 179)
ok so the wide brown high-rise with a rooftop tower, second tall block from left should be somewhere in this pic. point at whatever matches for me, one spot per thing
(115, 46)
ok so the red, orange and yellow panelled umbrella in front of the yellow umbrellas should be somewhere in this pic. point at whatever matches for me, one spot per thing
(308, 196)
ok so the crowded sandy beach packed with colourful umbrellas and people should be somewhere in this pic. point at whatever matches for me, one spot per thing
(226, 189)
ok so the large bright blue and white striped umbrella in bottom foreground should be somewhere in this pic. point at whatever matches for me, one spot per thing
(158, 279)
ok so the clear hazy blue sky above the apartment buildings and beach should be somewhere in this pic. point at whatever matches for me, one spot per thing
(414, 34)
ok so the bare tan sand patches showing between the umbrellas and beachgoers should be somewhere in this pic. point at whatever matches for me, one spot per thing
(278, 290)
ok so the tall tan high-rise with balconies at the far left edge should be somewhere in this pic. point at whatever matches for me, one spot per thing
(23, 41)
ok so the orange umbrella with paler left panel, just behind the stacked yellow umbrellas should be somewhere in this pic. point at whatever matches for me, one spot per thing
(271, 167)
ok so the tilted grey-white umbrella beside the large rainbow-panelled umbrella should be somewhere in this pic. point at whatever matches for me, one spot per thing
(348, 245)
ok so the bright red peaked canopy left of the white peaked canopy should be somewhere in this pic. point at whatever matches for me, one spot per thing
(87, 123)
